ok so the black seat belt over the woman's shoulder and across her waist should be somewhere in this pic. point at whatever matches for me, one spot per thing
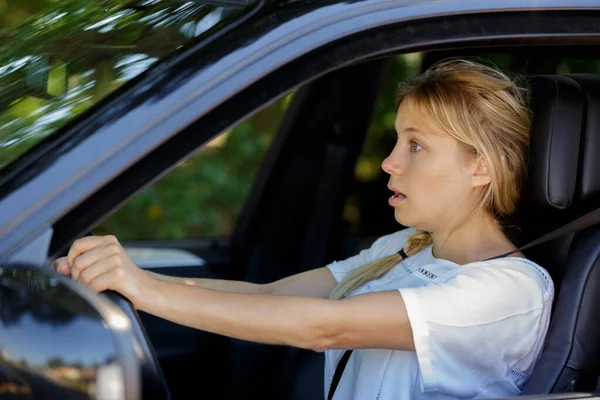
(585, 221)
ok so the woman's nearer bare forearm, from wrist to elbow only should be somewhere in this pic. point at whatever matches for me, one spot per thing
(262, 318)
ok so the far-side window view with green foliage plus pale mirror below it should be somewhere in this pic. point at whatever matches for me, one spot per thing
(186, 218)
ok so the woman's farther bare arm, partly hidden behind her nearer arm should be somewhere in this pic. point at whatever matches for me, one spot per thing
(315, 283)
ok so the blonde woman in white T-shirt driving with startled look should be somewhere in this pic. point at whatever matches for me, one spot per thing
(439, 319)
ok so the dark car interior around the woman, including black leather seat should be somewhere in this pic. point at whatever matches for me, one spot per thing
(299, 215)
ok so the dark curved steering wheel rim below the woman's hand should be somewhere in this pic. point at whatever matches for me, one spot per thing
(154, 384)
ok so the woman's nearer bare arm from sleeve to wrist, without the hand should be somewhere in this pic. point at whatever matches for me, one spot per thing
(374, 320)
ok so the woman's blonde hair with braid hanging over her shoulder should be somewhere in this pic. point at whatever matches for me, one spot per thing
(488, 114)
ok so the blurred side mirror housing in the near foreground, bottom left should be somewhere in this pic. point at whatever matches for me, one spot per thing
(60, 340)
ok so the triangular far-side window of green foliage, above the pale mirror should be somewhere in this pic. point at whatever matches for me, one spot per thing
(204, 195)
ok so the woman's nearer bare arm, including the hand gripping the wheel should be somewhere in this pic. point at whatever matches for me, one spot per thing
(374, 320)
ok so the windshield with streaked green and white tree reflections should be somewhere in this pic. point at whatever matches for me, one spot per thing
(57, 59)
